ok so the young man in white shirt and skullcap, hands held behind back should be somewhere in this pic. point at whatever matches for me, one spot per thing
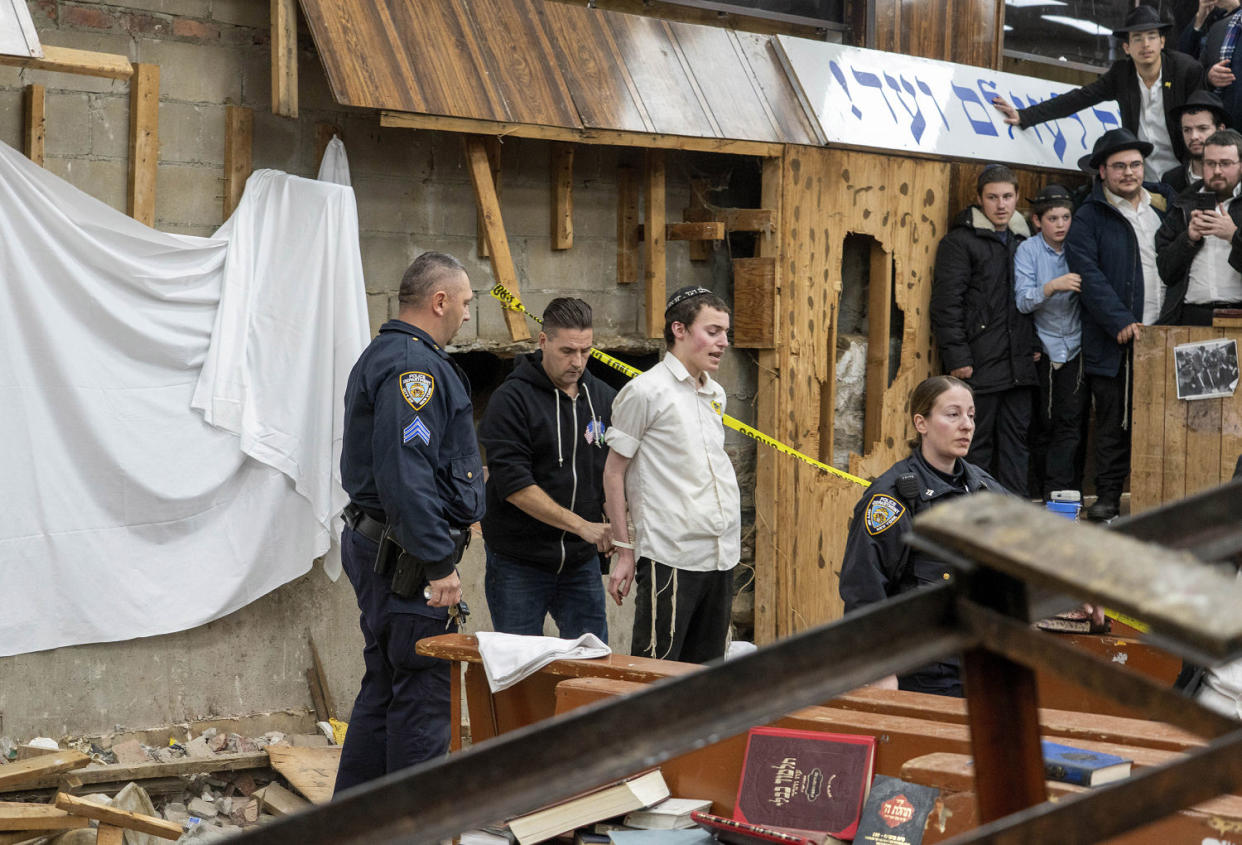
(669, 470)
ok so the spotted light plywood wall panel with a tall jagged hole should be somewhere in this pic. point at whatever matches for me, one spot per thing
(828, 194)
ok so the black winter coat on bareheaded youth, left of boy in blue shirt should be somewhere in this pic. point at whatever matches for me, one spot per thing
(974, 313)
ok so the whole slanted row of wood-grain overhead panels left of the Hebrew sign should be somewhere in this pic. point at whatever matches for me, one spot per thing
(535, 63)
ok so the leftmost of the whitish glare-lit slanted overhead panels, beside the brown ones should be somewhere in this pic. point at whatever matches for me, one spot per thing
(670, 96)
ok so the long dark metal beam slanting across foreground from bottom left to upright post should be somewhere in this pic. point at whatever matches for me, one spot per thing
(546, 762)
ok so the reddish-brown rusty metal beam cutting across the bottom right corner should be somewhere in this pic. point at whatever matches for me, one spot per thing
(1105, 812)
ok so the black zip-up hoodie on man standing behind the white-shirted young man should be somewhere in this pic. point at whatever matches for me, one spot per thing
(535, 434)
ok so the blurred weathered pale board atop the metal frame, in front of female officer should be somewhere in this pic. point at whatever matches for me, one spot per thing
(1193, 608)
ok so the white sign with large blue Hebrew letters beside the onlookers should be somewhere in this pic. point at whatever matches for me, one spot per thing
(887, 101)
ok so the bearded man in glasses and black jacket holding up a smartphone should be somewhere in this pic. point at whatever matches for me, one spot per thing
(1199, 249)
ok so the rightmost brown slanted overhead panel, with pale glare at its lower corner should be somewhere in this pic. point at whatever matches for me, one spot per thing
(599, 83)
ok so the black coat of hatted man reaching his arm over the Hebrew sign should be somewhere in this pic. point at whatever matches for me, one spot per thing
(1182, 76)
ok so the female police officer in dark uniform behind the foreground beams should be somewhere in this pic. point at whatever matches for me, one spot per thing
(877, 562)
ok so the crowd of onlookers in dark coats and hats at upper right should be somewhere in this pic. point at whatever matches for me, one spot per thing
(1043, 324)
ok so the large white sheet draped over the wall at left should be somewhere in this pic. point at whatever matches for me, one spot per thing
(126, 513)
